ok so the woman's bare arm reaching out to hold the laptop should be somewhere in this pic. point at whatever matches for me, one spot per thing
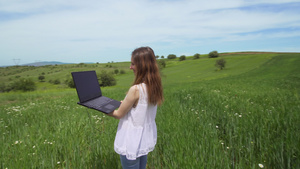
(130, 100)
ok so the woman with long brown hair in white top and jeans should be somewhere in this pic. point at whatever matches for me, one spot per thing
(137, 134)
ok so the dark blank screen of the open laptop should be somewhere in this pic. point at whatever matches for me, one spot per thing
(87, 85)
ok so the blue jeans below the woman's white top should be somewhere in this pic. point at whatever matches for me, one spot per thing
(139, 163)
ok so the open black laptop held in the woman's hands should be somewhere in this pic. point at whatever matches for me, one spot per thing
(89, 92)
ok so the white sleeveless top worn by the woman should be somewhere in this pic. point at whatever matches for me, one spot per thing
(137, 134)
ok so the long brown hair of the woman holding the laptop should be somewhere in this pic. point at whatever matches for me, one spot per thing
(147, 71)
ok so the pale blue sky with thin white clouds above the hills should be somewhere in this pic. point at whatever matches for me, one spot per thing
(76, 31)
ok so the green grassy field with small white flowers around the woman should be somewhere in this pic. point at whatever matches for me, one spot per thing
(245, 115)
